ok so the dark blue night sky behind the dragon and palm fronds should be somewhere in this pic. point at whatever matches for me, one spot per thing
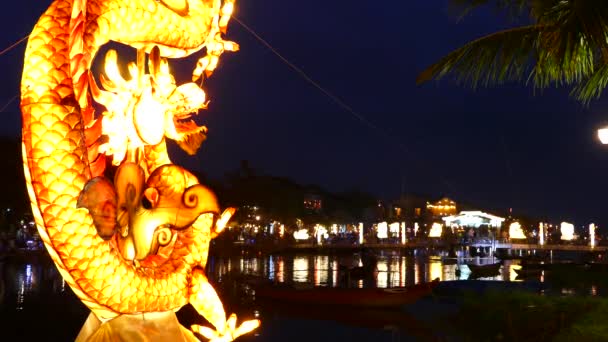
(498, 148)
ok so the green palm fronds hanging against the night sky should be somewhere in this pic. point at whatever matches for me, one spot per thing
(565, 43)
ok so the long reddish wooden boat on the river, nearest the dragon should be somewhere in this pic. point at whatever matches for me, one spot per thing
(358, 297)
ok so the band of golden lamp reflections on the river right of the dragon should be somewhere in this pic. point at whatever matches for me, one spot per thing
(393, 269)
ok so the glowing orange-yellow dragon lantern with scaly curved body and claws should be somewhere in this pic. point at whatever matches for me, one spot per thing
(133, 248)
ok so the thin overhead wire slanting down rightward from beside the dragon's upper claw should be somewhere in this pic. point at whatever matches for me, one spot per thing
(333, 97)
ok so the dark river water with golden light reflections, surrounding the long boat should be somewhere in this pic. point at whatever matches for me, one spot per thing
(36, 303)
